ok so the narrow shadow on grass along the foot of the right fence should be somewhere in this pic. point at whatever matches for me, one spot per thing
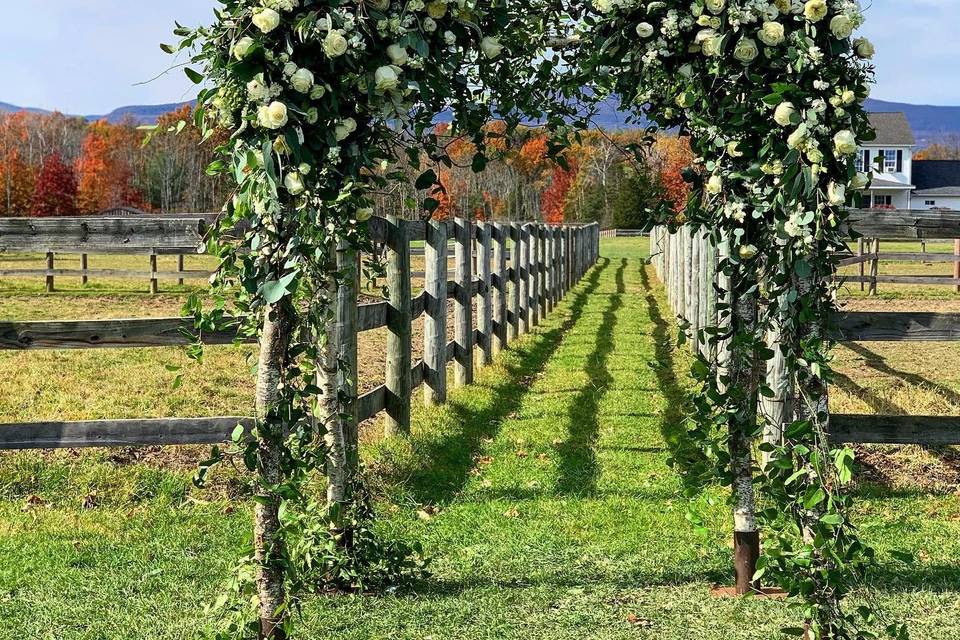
(687, 456)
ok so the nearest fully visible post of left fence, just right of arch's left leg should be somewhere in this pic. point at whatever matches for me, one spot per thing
(398, 380)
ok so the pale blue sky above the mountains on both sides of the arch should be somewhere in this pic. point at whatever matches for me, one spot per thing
(87, 56)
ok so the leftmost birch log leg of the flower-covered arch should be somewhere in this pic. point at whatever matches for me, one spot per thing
(268, 557)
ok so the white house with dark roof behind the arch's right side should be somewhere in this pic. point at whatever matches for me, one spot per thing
(897, 180)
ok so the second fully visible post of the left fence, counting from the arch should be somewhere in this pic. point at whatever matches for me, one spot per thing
(435, 320)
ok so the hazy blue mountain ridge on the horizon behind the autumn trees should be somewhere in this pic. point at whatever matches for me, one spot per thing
(930, 123)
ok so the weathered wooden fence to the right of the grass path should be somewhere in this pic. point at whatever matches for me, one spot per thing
(687, 265)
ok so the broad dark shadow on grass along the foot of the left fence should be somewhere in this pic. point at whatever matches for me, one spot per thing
(444, 456)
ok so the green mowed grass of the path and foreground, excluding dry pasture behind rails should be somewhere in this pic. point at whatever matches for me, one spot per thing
(552, 512)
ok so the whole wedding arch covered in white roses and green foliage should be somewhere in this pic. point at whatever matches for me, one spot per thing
(323, 96)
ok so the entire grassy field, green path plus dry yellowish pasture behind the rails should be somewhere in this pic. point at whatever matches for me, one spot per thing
(552, 512)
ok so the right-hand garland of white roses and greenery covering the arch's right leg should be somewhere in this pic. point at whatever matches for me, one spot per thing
(770, 93)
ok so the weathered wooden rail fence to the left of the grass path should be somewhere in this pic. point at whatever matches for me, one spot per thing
(493, 304)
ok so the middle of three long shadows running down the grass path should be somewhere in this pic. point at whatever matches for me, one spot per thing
(578, 467)
